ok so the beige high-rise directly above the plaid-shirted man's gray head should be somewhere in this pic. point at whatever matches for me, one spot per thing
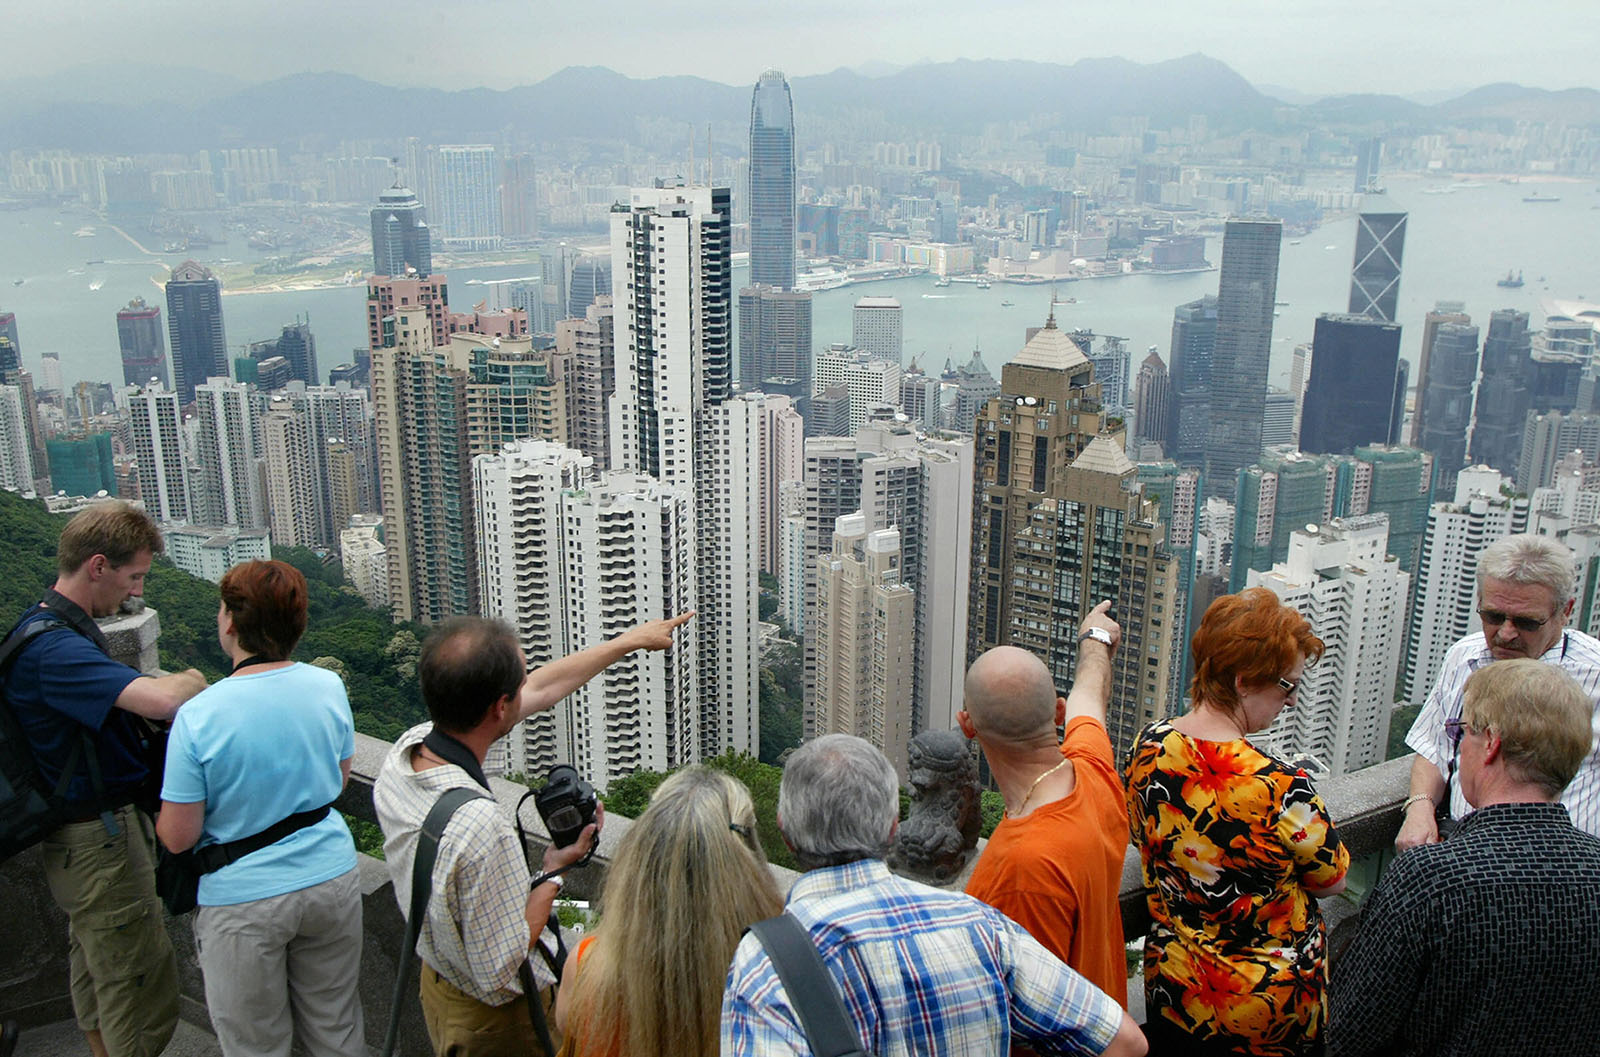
(865, 640)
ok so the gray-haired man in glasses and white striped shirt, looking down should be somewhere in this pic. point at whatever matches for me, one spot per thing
(1526, 600)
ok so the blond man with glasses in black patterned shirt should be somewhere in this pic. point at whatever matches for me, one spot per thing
(1486, 944)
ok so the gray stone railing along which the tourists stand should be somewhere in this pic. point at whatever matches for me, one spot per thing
(34, 976)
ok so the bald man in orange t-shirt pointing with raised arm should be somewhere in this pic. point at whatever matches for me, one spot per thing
(1055, 864)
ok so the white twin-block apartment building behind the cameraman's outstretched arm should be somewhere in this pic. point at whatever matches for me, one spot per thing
(567, 559)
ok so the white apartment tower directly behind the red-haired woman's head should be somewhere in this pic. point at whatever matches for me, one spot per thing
(1342, 578)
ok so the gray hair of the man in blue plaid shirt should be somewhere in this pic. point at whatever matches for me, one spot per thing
(839, 802)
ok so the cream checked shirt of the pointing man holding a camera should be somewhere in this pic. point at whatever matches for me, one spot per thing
(476, 933)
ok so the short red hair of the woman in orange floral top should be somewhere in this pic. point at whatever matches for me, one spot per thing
(1250, 637)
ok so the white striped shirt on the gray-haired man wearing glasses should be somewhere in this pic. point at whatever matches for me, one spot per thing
(1577, 653)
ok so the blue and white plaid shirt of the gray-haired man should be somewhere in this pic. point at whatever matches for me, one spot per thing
(922, 971)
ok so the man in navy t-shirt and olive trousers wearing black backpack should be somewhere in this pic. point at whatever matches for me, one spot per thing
(84, 719)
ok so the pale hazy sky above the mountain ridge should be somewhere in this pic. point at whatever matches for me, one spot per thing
(1314, 47)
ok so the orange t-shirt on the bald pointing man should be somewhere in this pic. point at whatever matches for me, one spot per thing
(1057, 869)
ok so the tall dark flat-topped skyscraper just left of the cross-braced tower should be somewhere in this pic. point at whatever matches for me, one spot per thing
(1244, 338)
